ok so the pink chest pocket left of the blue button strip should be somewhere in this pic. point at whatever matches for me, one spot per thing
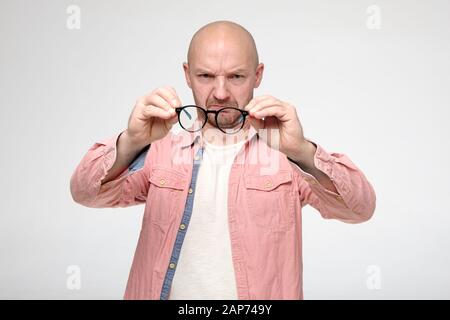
(163, 201)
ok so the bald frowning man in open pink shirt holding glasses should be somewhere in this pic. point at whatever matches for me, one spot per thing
(223, 197)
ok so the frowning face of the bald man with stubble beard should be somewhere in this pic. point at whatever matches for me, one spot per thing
(222, 73)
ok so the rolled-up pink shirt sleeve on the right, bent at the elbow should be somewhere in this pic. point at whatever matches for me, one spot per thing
(355, 200)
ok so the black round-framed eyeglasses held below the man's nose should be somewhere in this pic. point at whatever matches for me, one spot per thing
(228, 120)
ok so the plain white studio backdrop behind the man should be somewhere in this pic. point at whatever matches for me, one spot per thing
(369, 79)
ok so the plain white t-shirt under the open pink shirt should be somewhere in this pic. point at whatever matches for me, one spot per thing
(205, 268)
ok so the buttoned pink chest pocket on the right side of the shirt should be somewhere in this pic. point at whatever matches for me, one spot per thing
(270, 200)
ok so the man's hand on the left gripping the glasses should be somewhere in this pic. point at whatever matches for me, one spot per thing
(153, 116)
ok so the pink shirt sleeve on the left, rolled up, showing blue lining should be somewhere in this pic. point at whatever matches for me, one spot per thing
(129, 188)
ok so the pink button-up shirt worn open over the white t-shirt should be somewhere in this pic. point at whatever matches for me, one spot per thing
(265, 199)
